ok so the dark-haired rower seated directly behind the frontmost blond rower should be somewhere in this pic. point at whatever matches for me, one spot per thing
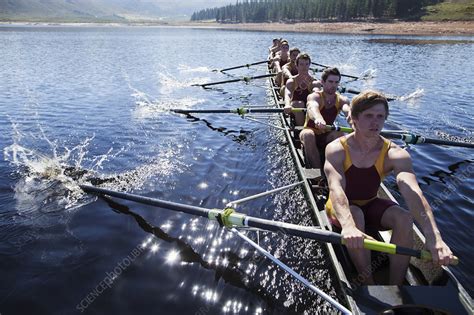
(323, 108)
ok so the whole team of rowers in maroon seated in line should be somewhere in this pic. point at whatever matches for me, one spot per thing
(355, 164)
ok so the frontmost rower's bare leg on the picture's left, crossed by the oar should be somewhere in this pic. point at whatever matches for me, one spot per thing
(361, 257)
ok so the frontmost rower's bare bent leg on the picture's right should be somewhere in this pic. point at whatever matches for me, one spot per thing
(401, 223)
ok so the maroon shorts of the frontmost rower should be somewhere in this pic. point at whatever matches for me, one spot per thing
(373, 212)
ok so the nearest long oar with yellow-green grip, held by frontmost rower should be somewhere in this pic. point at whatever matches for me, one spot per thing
(229, 218)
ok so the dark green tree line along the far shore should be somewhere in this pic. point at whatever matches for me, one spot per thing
(258, 11)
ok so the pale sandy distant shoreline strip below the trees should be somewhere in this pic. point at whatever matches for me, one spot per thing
(451, 28)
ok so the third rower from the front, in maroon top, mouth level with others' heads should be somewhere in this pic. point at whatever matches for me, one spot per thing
(299, 87)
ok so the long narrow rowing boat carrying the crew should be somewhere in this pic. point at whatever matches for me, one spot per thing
(427, 289)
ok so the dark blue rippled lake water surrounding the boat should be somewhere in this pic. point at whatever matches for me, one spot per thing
(99, 99)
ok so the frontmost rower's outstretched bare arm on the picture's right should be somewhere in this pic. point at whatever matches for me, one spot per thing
(411, 192)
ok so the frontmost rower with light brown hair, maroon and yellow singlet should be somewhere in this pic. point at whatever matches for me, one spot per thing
(355, 166)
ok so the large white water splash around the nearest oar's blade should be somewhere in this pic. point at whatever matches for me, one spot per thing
(49, 178)
